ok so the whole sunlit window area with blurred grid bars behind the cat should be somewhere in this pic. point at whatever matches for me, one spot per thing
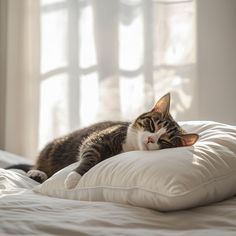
(90, 72)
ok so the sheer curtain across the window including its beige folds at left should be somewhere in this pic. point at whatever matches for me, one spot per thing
(106, 59)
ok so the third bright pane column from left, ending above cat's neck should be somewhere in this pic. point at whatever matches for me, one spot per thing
(131, 56)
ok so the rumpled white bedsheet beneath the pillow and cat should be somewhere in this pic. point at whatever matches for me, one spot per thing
(24, 212)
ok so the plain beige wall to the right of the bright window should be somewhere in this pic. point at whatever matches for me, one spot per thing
(216, 36)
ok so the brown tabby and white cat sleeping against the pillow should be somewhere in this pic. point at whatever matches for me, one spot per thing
(153, 130)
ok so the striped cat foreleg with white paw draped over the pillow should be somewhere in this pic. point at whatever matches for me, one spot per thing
(88, 159)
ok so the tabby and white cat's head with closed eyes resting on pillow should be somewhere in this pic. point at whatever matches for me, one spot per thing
(157, 129)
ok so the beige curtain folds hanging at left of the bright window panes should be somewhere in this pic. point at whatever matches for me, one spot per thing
(20, 75)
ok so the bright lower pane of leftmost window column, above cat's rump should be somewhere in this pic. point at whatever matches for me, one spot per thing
(54, 116)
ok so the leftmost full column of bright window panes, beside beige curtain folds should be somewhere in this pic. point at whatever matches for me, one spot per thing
(54, 86)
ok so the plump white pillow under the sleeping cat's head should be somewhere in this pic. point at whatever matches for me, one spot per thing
(164, 180)
